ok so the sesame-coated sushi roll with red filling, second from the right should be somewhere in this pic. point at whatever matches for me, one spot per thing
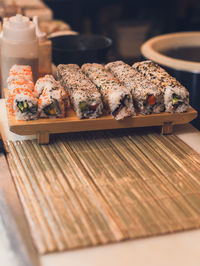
(147, 97)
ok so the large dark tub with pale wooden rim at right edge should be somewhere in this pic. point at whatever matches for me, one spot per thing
(175, 52)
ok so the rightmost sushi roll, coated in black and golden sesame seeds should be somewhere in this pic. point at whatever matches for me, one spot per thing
(176, 96)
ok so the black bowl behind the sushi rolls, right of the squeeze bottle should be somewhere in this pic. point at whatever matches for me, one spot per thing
(80, 49)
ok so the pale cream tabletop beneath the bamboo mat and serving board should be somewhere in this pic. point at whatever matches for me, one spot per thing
(172, 249)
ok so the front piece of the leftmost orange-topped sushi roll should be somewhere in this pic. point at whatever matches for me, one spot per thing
(25, 105)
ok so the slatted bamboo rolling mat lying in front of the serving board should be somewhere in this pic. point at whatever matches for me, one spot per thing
(100, 187)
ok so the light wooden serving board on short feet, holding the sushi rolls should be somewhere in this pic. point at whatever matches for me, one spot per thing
(44, 127)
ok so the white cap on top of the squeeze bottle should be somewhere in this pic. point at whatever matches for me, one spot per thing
(19, 28)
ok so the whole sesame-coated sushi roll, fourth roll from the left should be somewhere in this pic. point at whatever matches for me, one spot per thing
(117, 98)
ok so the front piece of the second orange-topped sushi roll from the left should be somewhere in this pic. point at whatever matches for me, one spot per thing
(51, 103)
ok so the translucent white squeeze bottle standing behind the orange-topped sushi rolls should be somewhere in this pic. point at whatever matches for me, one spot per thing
(19, 45)
